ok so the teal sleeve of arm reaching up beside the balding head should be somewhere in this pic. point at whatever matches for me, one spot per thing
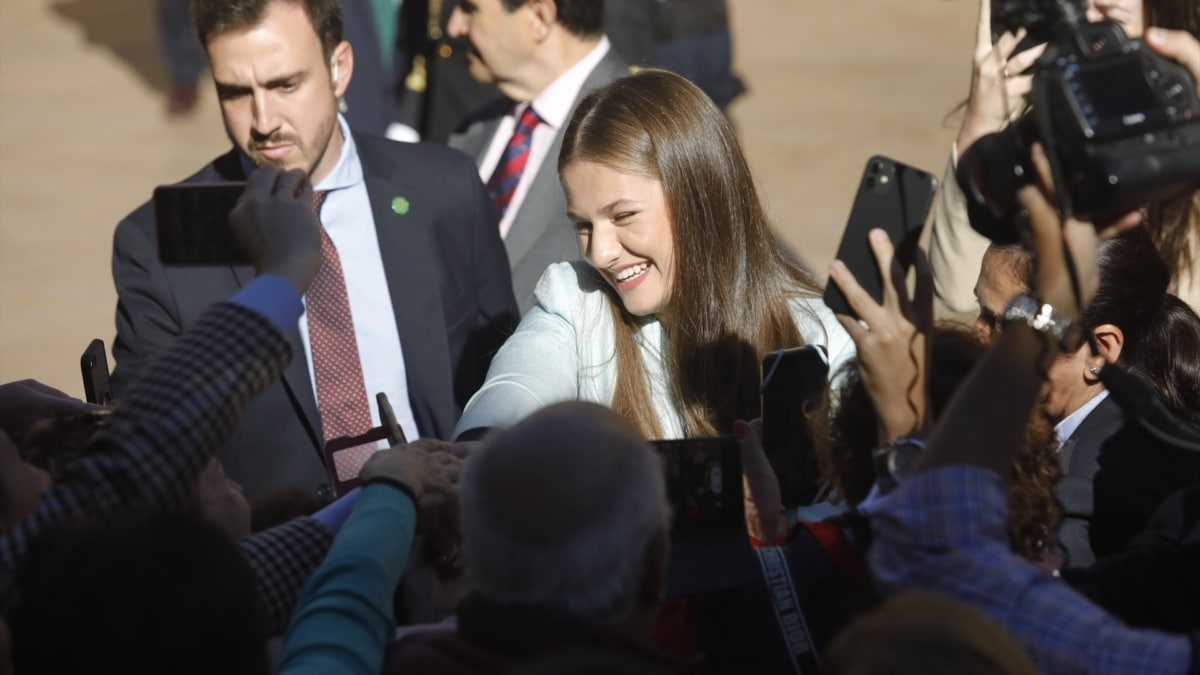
(345, 618)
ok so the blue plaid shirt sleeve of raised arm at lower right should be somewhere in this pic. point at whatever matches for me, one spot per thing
(944, 530)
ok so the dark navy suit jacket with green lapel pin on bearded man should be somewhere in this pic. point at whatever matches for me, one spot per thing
(449, 284)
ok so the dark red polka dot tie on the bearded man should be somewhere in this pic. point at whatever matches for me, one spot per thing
(341, 393)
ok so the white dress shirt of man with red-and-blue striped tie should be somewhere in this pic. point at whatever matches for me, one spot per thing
(554, 106)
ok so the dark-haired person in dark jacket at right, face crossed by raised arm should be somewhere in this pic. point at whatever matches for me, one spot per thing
(1114, 473)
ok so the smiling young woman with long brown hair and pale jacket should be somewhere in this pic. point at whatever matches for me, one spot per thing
(682, 289)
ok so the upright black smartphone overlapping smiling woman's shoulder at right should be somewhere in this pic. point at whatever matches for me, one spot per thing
(794, 385)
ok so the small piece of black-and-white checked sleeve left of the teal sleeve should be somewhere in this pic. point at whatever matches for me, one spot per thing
(283, 559)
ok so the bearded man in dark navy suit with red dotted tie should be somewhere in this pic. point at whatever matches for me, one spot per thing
(416, 294)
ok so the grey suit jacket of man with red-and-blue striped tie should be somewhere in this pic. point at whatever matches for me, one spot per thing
(541, 235)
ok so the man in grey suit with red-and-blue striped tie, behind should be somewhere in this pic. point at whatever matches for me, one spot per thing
(544, 56)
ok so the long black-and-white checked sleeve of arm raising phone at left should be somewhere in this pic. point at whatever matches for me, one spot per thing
(167, 426)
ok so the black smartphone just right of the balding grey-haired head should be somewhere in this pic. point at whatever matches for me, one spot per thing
(704, 479)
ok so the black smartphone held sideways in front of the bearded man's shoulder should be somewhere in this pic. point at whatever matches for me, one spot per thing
(193, 223)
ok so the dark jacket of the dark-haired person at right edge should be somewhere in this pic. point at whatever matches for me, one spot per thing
(1115, 476)
